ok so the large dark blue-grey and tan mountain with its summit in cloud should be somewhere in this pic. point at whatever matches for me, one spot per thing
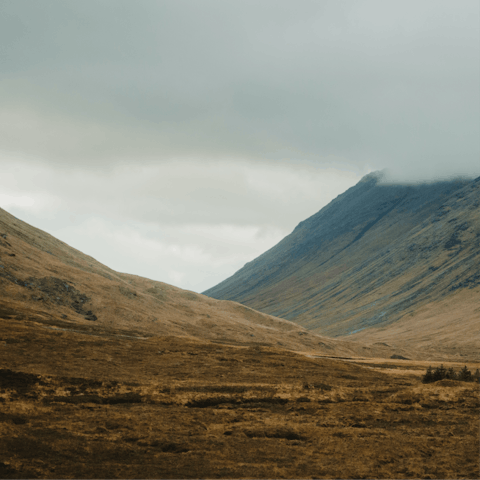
(381, 263)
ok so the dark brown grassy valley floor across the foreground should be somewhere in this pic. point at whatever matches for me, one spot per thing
(86, 403)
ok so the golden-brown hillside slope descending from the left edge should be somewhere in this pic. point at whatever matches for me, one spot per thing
(46, 281)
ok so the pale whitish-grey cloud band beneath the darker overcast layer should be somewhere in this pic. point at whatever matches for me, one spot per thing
(183, 193)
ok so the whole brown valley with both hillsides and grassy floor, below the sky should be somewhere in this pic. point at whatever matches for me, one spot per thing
(110, 375)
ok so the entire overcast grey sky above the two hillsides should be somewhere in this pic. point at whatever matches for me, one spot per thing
(180, 139)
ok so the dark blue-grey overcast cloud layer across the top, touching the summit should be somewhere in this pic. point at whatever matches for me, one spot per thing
(392, 84)
